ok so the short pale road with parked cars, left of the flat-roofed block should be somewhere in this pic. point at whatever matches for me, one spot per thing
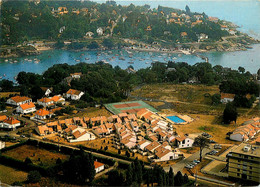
(180, 165)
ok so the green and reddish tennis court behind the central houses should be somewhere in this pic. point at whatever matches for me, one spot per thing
(128, 107)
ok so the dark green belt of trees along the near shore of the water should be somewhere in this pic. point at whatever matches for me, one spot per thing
(103, 83)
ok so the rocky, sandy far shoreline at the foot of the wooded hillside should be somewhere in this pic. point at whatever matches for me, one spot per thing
(230, 43)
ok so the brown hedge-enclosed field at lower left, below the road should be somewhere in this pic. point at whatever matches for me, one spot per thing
(37, 155)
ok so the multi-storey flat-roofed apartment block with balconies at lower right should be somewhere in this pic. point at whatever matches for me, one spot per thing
(244, 162)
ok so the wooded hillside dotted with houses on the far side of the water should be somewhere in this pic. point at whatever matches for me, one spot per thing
(23, 21)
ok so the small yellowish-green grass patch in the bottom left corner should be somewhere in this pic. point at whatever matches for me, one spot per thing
(9, 175)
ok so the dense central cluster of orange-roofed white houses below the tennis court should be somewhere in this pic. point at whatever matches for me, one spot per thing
(127, 127)
